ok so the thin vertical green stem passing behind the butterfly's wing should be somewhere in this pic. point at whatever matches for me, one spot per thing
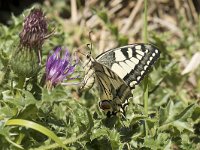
(145, 94)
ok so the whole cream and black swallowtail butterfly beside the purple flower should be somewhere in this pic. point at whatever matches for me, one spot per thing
(117, 71)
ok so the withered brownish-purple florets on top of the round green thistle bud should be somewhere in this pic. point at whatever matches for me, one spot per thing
(34, 29)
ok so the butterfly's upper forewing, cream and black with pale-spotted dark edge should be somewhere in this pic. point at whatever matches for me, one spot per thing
(131, 63)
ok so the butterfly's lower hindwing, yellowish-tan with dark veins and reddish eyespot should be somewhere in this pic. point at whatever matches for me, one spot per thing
(112, 89)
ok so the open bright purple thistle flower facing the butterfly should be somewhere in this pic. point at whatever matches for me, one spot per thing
(59, 67)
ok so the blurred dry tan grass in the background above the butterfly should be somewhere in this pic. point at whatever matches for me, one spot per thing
(175, 20)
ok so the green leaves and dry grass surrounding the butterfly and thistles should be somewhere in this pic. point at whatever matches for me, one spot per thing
(33, 118)
